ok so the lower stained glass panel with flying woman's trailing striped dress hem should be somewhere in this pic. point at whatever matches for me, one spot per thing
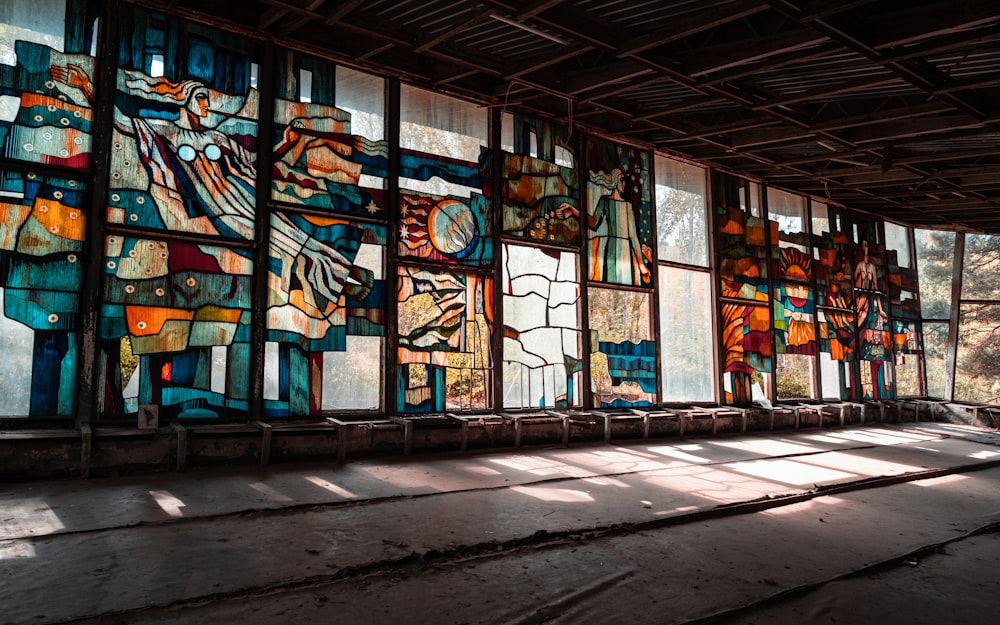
(326, 302)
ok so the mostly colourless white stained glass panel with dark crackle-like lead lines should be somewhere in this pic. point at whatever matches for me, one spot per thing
(542, 361)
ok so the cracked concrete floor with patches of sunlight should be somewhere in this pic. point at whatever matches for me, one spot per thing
(881, 523)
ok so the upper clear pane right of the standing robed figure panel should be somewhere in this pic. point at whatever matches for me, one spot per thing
(681, 205)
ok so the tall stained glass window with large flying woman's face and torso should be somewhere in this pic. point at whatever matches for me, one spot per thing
(175, 315)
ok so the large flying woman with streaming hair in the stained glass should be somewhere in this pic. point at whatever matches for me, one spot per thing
(203, 180)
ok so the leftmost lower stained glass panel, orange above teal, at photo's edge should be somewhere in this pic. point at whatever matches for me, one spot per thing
(42, 227)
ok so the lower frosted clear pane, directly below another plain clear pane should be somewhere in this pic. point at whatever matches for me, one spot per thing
(686, 345)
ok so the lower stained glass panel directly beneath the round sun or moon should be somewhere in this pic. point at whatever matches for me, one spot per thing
(444, 327)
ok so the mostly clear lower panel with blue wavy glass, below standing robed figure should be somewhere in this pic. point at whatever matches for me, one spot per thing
(623, 349)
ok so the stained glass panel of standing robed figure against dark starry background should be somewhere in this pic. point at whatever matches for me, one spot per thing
(619, 214)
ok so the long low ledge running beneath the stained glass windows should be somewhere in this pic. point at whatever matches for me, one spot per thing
(104, 450)
